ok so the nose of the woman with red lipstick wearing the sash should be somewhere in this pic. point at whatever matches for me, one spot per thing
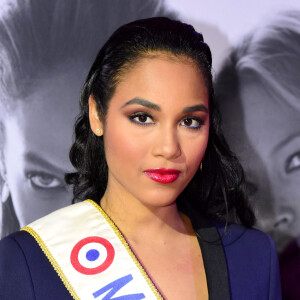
(167, 144)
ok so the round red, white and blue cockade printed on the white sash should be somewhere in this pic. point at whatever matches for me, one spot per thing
(92, 255)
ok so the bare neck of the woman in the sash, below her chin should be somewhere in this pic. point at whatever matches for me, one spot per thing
(138, 221)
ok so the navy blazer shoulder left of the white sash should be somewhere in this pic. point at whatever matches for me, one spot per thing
(25, 272)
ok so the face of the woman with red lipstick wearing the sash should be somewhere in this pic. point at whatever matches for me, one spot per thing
(156, 131)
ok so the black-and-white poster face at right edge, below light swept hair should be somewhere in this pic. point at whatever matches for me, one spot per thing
(268, 144)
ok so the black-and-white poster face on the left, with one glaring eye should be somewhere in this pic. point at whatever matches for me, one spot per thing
(38, 134)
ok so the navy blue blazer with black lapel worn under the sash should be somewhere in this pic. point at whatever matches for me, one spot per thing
(242, 265)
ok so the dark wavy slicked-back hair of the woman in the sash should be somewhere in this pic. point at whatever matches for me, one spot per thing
(218, 191)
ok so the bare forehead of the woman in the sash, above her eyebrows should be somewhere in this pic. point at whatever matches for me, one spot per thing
(162, 79)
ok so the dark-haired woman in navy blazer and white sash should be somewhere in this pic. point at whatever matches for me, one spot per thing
(150, 154)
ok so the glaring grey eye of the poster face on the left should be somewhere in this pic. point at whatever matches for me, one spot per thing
(44, 181)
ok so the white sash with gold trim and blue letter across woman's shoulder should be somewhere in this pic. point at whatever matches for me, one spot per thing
(90, 254)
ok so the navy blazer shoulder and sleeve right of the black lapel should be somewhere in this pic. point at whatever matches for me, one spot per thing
(252, 262)
